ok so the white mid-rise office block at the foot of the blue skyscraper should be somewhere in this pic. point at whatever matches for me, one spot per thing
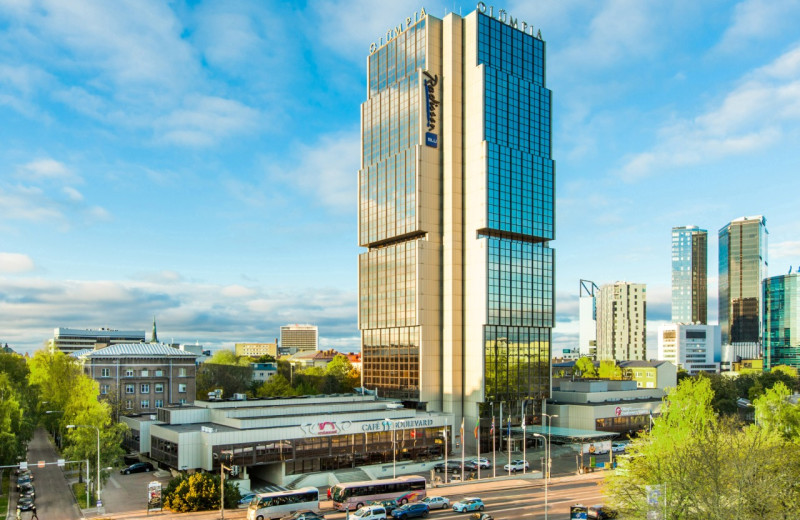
(693, 347)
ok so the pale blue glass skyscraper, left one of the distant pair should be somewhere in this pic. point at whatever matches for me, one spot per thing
(689, 278)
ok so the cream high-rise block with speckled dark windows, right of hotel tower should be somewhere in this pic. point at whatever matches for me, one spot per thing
(621, 321)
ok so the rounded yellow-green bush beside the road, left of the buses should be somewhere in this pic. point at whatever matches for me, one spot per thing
(198, 492)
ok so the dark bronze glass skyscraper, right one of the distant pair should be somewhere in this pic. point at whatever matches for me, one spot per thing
(742, 268)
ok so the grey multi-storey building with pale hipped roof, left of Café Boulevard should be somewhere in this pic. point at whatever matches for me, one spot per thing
(142, 377)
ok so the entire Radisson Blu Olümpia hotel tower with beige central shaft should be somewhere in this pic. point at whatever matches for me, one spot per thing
(456, 212)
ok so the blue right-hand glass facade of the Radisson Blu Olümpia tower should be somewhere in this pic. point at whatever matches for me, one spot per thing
(520, 221)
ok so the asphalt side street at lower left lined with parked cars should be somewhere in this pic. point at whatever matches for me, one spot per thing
(53, 496)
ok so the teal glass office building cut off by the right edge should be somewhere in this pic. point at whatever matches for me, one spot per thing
(781, 337)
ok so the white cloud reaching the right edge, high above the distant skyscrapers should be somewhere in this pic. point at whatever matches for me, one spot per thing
(753, 116)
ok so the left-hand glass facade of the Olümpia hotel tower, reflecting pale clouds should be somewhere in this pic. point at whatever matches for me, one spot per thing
(388, 222)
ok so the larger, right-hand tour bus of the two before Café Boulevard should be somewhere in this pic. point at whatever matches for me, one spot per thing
(354, 495)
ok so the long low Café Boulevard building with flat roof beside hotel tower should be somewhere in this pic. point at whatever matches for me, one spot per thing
(297, 438)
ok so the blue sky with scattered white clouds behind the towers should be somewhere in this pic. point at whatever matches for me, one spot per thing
(197, 161)
